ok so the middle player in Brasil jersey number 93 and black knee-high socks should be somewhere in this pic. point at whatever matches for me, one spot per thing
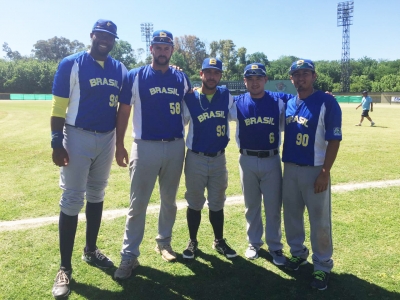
(207, 111)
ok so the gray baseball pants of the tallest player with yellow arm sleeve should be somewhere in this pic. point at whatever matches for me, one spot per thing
(90, 159)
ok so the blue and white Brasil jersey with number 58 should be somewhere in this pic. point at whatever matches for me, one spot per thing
(157, 100)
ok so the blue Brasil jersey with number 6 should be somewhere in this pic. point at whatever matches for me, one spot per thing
(260, 121)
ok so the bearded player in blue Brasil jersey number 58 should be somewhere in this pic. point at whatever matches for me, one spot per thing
(156, 92)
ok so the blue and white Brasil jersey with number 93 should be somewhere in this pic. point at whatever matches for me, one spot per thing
(208, 120)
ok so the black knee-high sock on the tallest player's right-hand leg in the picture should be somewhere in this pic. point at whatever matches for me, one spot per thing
(94, 212)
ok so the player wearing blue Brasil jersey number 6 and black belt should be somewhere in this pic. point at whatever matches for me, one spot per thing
(260, 117)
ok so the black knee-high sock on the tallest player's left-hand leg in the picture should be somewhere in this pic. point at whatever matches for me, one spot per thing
(67, 230)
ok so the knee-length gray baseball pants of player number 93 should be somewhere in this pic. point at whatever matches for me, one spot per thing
(203, 172)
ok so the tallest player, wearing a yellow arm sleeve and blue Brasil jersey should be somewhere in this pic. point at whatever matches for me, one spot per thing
(86, 90)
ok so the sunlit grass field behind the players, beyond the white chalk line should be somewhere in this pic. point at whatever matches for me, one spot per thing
(29, 185)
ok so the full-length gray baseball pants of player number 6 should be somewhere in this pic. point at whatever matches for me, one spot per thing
(261, 179)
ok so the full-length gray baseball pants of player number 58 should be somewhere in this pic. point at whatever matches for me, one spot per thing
(149, 160)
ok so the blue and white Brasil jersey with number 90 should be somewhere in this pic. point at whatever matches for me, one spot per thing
(310, 123)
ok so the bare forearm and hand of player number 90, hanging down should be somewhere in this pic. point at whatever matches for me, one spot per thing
(322, 181)
